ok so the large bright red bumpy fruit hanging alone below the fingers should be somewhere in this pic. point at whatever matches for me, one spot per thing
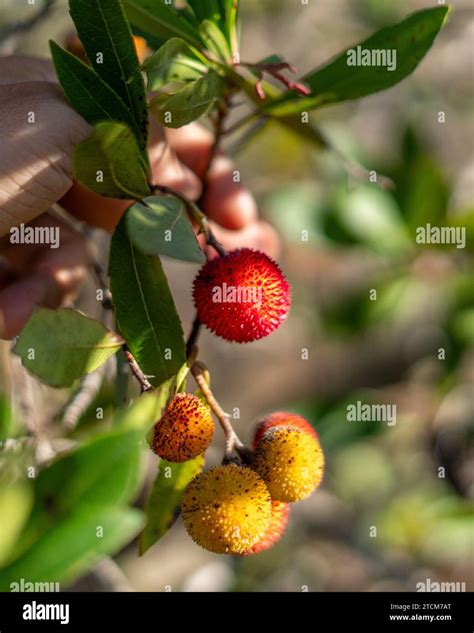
(243, 296)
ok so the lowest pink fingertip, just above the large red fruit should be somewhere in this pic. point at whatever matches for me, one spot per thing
(258, 235)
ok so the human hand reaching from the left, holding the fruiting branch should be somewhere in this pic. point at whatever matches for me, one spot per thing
(36, 172)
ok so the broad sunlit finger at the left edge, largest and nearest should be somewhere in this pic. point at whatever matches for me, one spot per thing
(38, 130)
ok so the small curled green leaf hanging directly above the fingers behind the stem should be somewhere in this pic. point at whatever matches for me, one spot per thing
(189, 103)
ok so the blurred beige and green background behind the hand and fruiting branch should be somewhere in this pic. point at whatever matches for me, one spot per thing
(410, 344)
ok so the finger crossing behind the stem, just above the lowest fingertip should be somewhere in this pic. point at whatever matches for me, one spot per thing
(226, 201)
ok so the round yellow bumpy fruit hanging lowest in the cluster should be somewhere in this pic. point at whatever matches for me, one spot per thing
(226, 509)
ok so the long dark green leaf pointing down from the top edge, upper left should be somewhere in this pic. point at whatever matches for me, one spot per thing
(107, 39)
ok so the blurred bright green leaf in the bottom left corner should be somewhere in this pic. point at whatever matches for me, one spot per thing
(74, 545)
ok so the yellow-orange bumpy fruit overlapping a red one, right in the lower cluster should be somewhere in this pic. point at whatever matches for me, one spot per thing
(290, 461)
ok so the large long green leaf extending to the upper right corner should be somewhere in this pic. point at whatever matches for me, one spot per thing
(337, 81)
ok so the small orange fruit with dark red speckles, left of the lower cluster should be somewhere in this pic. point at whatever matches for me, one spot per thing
(185, 430)
